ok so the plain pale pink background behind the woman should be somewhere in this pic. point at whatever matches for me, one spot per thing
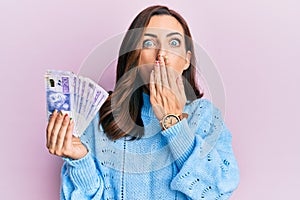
(254, 43)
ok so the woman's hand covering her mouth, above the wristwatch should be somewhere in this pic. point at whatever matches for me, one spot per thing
(167, 95)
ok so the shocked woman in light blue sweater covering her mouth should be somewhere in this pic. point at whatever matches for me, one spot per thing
(154, 137)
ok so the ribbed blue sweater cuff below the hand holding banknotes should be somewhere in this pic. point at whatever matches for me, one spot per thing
(83, 172)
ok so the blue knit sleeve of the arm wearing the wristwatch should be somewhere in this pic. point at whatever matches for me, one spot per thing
(202, 149)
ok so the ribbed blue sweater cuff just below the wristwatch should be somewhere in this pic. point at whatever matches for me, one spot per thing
(181, 141)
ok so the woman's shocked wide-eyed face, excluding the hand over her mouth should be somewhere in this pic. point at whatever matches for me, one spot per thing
(164, 35)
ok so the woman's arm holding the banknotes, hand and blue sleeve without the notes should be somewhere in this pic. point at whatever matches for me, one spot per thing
(80, 174)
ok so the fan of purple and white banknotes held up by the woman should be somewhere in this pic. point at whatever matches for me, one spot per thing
(77, 96)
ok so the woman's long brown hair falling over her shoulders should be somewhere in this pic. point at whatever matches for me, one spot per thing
(120, 115)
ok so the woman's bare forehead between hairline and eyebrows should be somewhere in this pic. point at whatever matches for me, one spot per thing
(164, 23)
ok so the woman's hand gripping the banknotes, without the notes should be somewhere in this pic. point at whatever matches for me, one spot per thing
(60, 140)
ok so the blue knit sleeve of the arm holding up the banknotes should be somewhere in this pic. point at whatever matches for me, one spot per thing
(81, 179)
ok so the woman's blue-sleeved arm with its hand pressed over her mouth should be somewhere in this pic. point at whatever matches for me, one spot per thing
(201, 146)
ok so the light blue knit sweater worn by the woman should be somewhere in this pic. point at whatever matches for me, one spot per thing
(191, 160)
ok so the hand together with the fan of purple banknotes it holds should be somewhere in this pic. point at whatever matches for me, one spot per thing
(70, 96)
